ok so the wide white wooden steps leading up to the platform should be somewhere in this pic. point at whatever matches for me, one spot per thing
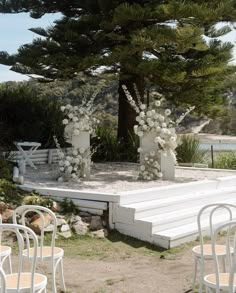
(169, 217)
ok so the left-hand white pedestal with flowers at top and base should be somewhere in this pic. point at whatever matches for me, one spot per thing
(79, 125)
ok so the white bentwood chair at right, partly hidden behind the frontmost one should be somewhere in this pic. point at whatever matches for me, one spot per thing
(209, 217)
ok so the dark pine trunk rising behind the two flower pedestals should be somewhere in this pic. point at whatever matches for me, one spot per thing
(126, 114)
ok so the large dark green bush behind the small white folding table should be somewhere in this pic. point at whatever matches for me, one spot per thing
(25, 117)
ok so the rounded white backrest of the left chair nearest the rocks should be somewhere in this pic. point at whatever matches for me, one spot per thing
(45, 216)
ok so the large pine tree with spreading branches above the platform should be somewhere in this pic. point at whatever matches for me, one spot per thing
(170, 45)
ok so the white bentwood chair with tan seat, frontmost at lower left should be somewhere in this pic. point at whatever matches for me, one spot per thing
(23, 282)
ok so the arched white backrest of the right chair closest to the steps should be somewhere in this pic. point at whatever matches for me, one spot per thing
(211, 216)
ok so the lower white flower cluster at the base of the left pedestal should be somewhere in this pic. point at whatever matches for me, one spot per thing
(73, 165)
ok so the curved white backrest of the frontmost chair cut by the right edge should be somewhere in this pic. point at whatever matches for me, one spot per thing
(229, 240)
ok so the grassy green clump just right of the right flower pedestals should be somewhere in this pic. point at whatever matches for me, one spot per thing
(188, 150)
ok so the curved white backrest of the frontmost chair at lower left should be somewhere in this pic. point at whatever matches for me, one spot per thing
(20, 231)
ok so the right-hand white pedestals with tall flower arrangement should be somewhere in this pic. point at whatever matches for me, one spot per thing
(158, 139)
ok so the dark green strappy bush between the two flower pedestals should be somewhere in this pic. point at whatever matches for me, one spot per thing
(107, 148)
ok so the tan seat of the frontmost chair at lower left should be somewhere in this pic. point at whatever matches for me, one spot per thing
(40, 281)
